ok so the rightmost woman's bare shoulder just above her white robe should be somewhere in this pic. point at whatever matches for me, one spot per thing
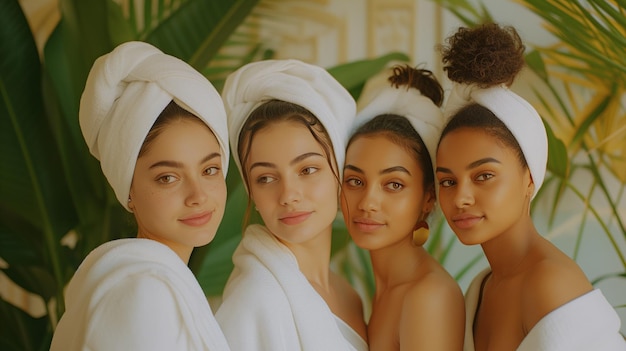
(549, 283)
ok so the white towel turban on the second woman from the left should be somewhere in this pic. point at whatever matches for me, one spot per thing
(306, 85)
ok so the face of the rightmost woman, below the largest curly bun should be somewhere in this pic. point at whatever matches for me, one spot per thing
(483, 189)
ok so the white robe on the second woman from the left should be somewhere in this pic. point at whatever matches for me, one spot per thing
(268, 304)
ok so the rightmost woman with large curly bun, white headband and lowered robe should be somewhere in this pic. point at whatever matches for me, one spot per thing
(491, 161)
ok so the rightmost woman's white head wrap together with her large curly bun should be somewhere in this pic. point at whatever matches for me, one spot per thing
(483, 62)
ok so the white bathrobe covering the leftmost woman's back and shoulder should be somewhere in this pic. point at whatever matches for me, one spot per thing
(136, 294)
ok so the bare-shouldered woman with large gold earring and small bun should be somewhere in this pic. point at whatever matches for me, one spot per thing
(388, 193)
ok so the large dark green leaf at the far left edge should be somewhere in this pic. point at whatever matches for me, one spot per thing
(34, 185)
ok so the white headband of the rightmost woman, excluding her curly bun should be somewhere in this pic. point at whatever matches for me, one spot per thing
(519, 116)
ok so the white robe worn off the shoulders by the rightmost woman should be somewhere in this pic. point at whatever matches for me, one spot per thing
(587, 323)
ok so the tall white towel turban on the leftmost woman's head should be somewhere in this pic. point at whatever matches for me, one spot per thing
(126, 90)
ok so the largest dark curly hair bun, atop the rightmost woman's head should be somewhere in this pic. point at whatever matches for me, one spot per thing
(486, 55)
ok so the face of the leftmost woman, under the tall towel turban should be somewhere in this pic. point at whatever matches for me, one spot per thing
(178, 192)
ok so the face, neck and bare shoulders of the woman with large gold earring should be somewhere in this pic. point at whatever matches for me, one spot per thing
(417, 305)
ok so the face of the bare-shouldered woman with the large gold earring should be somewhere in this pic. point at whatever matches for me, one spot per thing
(383, 195)
